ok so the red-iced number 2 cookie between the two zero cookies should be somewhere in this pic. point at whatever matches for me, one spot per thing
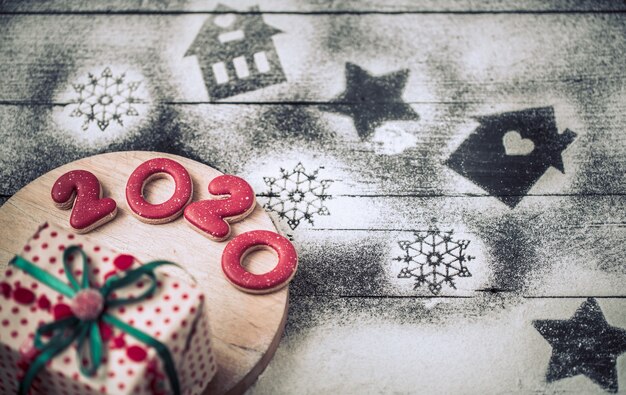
(212, 217)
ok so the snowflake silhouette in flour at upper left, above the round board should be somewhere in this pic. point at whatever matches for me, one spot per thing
(105, 98)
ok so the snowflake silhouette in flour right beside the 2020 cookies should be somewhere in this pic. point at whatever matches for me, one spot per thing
(297, 195)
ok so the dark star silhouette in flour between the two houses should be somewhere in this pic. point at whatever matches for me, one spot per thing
(372, 100)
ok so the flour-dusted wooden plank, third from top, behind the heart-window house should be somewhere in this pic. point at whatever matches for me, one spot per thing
(238, 139)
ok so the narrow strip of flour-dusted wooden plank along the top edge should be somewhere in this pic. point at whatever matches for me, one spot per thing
(140, 6)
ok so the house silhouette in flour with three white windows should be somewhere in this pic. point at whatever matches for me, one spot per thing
(236, 53)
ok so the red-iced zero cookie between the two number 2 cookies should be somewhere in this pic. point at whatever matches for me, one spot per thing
(168, 210)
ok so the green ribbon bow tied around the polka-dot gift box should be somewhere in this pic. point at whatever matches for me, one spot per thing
(87, 332)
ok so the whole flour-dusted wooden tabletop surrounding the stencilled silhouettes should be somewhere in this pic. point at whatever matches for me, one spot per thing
(354, 326)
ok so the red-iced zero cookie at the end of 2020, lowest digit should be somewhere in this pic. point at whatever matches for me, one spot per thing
(240, 246)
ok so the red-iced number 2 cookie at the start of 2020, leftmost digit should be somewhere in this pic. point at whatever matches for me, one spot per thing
(82, 189)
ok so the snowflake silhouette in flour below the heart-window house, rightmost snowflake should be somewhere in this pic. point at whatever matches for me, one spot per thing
(434, 258)
